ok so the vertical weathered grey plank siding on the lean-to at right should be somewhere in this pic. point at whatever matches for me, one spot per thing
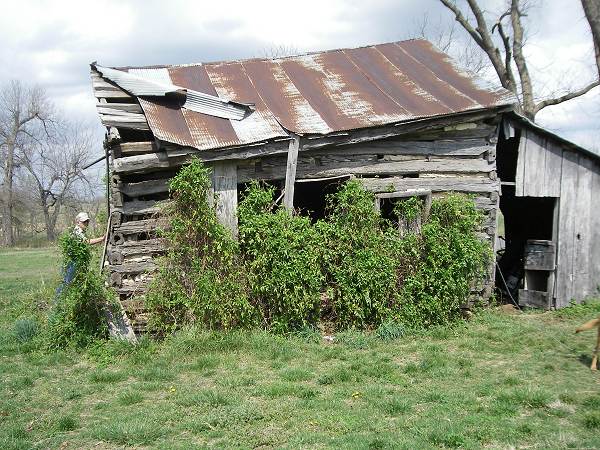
(545, 169)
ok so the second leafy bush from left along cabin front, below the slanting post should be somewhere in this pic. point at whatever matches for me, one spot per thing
(282, 254)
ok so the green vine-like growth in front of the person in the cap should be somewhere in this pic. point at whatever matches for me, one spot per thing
(76, 316)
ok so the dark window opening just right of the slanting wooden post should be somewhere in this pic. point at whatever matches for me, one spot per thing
(310, 197)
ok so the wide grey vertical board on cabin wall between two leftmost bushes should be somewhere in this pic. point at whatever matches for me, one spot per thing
(225, 189)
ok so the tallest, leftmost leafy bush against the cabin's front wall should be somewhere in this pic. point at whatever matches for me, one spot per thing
(201, 278)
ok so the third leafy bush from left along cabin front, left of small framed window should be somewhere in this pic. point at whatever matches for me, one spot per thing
(358, 259)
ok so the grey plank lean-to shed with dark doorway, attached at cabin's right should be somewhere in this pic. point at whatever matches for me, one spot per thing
(551, 199)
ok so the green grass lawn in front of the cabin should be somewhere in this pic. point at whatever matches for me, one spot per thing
(499, 381)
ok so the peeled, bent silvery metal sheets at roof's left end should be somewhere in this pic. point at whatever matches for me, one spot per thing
(141, 86)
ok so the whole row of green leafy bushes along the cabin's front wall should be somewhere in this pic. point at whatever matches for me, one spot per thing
(353, 268)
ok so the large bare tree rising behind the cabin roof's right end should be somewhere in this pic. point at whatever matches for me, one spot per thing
(503, 41)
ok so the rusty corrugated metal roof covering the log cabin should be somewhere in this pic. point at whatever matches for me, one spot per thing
(318, 94)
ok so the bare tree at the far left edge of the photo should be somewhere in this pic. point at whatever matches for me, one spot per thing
(22, 109)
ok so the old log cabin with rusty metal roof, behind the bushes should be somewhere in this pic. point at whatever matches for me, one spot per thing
(402, 117)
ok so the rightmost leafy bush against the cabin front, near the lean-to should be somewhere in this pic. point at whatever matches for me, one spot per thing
(439, 265)
